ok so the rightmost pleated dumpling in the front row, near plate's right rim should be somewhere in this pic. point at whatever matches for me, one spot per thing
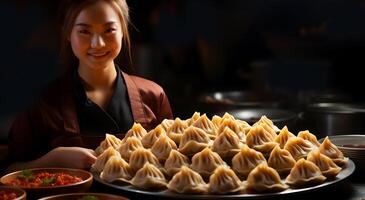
(328, 168)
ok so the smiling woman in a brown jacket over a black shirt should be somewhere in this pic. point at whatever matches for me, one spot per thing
(93, 97)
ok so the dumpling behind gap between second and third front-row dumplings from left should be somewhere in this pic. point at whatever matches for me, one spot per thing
(175, 161)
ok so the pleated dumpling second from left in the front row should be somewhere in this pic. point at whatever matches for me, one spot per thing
(149, 177)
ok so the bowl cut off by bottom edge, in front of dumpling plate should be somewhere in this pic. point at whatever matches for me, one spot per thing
(85, 196)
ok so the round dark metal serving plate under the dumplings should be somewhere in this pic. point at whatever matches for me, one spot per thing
(167, 194)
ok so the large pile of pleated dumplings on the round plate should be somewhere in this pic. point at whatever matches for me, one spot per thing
(222, 155)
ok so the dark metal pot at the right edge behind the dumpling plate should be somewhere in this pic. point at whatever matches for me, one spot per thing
(325, 119)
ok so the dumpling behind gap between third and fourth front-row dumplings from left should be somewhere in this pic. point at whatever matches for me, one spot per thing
(205, 162)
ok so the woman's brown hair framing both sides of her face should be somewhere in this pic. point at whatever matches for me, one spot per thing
(69, 10)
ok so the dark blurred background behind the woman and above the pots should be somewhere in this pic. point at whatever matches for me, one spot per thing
(195, 46)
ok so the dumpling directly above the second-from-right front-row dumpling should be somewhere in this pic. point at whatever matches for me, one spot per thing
(298, 147)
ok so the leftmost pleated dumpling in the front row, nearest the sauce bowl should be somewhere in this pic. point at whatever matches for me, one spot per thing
(116, 169)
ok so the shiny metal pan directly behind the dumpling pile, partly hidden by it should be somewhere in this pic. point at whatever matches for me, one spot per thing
(279, 117)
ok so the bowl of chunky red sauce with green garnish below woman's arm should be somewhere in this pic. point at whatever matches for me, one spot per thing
(46, 190)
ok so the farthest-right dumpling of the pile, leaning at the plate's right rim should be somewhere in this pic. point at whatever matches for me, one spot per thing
(331, 150)
